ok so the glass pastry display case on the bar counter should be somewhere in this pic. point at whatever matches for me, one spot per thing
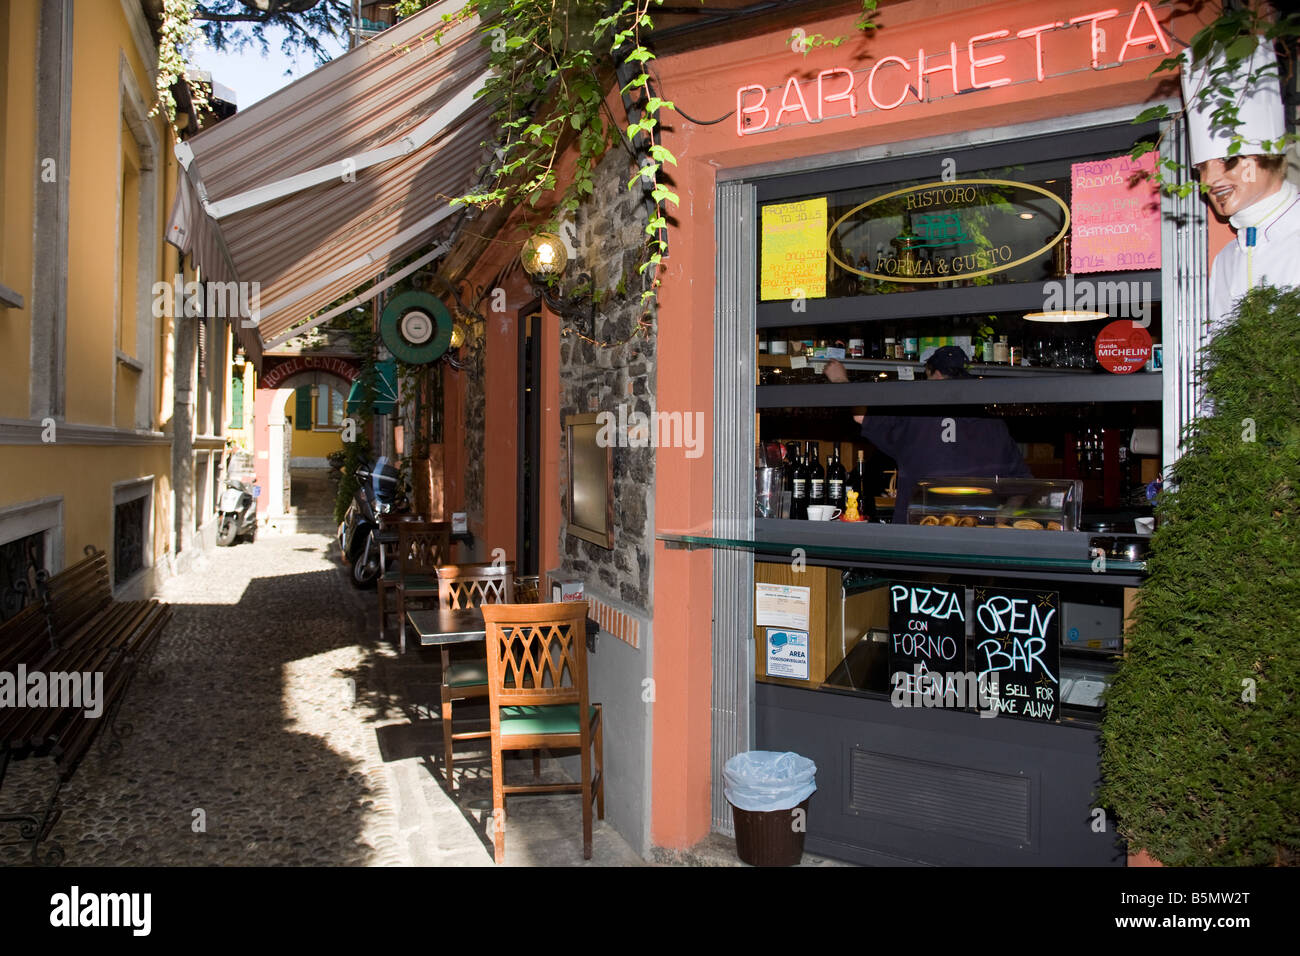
(998, 503)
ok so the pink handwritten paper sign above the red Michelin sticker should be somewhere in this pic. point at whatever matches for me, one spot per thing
(1115, 215)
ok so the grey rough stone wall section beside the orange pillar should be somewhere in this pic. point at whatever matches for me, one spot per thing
(610, 233)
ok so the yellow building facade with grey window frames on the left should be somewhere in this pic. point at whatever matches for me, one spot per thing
(90, 393)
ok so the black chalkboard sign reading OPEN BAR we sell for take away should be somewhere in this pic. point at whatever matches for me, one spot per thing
(1017, 637)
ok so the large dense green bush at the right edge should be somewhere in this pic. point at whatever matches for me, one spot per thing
(1202, 734)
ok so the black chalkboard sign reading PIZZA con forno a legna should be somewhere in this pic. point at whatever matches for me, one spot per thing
(928, 634)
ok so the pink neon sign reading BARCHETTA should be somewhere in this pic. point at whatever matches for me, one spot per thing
(894, 80)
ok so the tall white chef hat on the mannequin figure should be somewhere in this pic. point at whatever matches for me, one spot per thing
(1260, 113)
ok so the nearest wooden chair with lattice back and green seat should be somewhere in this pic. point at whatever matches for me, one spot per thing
(538, 694)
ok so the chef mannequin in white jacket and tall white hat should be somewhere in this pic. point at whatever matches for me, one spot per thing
(1250, 191)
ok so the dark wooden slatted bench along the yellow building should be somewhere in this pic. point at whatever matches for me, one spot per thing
(75, 629)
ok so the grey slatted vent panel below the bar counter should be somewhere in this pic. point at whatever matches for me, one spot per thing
(969, 804)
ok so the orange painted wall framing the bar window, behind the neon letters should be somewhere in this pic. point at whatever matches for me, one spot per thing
(708, 88)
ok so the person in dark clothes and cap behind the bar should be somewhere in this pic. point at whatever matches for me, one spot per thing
(939, 447)
